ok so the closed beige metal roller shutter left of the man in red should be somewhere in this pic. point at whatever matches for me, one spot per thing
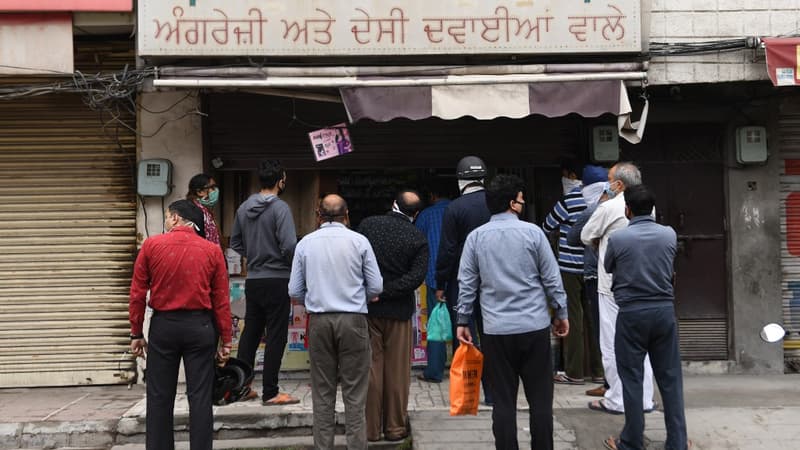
(67, 237)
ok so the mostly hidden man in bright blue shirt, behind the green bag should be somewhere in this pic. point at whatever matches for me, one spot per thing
(429, 221)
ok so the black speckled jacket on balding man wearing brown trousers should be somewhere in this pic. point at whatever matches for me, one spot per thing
(402, 253)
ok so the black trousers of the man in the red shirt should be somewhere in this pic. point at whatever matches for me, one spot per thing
(174, 335)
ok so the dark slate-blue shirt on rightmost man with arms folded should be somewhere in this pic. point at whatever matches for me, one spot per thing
(640, 257)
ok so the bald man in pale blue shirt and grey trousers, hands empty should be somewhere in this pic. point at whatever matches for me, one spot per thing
(334, 273)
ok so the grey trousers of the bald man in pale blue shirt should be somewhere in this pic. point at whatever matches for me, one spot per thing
(339, 349)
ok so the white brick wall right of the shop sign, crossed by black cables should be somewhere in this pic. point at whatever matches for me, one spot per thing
(704, 20)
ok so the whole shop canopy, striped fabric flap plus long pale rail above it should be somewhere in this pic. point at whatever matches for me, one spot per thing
(383, 98)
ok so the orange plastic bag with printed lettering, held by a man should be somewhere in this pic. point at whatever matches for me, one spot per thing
(465, 380)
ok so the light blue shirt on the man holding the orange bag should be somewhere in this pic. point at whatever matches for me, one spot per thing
(510, 264)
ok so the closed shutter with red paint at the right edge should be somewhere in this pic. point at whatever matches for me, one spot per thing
(789, 143)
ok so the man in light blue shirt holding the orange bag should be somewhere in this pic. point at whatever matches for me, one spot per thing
(509, 263)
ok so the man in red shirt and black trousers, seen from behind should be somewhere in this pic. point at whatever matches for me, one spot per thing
(188, 286)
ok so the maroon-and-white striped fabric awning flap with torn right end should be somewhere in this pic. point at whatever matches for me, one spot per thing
(489, 101)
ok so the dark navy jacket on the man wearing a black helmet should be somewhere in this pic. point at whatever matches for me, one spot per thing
(463, 215)
